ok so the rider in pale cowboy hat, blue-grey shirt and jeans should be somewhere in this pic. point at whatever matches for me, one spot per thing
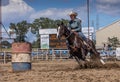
(75, 26)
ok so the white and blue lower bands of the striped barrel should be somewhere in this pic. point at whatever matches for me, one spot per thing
(21, 62)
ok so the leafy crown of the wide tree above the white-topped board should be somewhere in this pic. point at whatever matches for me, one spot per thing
(45, 23)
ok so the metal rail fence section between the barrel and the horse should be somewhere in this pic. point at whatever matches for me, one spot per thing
(50, 54)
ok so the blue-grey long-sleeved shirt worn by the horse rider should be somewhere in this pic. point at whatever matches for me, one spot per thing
(75, 25)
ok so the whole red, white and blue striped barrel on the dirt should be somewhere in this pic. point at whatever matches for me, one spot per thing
(21, 56)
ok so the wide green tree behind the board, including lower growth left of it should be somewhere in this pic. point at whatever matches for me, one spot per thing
(42, 23)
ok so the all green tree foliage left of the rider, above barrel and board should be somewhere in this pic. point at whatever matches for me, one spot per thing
(21, 28)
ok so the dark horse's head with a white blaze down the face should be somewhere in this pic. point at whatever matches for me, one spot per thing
(60, 30)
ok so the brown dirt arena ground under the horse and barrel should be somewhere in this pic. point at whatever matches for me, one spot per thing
(62, 71)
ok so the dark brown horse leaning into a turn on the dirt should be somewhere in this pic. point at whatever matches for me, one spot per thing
(77, 46)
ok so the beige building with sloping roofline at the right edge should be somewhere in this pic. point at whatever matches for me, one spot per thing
(112, 30)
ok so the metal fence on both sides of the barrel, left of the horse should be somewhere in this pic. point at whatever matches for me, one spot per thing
(40, 54)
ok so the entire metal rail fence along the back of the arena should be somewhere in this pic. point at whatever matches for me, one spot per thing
(52, 54)
